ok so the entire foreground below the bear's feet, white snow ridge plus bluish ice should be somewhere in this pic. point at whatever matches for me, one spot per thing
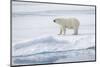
(54, 49)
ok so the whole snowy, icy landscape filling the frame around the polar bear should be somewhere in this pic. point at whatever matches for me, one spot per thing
(35, 39)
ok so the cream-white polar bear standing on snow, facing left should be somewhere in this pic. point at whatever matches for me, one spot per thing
(69, 23)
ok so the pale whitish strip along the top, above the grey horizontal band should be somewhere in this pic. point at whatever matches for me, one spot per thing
(33, 7)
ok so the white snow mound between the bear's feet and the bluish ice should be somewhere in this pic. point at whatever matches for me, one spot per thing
(51, 44)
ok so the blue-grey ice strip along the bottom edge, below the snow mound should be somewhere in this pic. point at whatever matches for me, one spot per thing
(56, 57)
